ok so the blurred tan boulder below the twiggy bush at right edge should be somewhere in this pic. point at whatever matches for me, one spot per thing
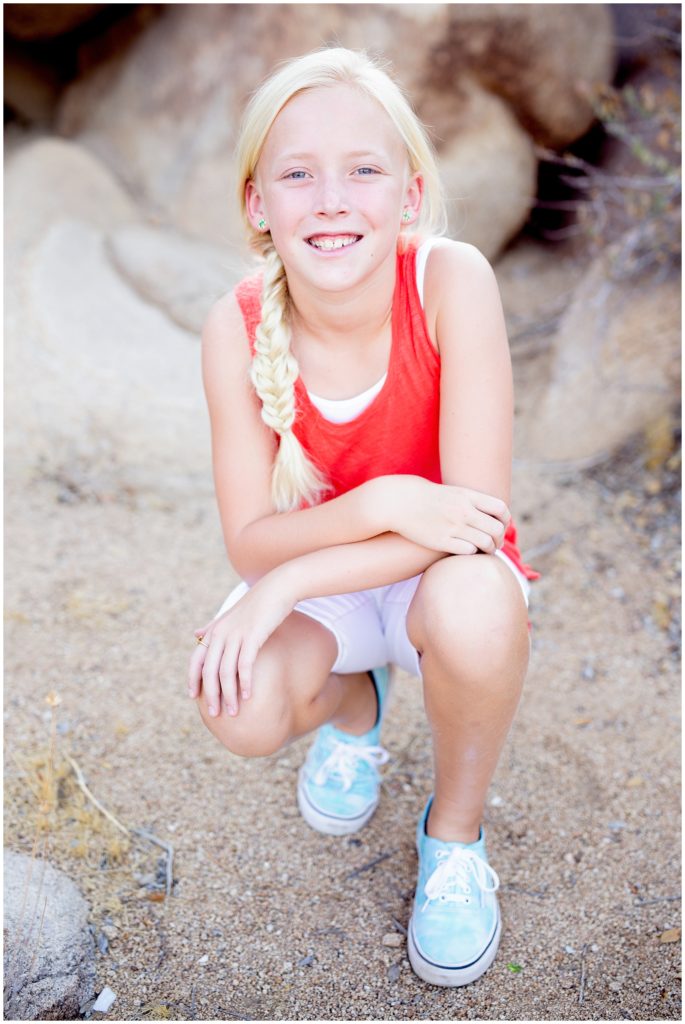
(615, 364)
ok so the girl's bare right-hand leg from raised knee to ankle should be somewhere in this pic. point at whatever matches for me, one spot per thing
(469, 622)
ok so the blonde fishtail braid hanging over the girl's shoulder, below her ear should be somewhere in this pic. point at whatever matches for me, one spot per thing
(274, 373)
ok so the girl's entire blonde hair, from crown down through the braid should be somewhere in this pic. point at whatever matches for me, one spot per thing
(295, 479)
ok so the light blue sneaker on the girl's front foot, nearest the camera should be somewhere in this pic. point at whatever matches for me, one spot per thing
(454, 932)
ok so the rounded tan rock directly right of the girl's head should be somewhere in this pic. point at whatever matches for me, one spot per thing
(489, 169)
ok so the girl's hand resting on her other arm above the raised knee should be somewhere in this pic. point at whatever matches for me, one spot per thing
(443, 518)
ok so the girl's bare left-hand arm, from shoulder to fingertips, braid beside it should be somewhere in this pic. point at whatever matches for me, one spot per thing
(258, 538)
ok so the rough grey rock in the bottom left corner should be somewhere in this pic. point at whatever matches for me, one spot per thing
(50, 959)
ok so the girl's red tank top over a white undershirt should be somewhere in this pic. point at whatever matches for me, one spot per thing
(399, 433)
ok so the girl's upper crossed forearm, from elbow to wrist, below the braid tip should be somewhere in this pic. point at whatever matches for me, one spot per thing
(359, 516)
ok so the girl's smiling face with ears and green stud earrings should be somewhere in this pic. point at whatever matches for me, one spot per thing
(332, 185)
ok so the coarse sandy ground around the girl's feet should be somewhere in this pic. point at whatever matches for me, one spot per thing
(269, 920)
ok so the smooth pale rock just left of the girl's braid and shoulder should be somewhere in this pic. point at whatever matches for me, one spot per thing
(183, 277)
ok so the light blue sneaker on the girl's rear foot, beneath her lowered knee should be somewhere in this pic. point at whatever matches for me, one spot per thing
(339, 783)
